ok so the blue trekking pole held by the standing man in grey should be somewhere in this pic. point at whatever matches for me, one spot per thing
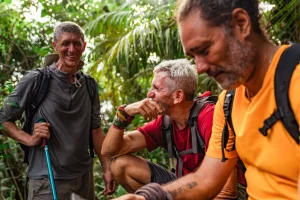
(49, 166)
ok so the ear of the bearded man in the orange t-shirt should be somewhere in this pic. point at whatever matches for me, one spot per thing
(241, 24)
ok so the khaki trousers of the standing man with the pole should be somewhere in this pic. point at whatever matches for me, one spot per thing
(40, 189)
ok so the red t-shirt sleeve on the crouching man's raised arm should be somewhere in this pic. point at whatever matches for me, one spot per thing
(153, 133)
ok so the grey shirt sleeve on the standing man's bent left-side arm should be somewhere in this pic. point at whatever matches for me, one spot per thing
(15, 104)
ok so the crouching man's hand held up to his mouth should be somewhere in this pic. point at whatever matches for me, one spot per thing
(148, 108)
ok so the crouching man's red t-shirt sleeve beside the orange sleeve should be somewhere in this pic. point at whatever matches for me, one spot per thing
(205, 121)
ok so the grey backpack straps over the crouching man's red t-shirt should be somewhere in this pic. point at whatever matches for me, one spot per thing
(198, 145)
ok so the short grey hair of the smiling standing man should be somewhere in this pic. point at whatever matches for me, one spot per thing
(69, 27)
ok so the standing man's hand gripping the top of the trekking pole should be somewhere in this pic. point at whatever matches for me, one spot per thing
(41, 130)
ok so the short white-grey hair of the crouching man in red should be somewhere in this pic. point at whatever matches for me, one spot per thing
(181, 74)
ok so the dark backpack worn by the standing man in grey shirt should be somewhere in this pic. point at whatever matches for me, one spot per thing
(43, 84)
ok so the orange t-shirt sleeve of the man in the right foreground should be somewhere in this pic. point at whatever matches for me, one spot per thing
(214, 148)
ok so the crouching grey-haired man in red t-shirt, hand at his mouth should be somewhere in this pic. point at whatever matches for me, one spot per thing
(181, 125)
